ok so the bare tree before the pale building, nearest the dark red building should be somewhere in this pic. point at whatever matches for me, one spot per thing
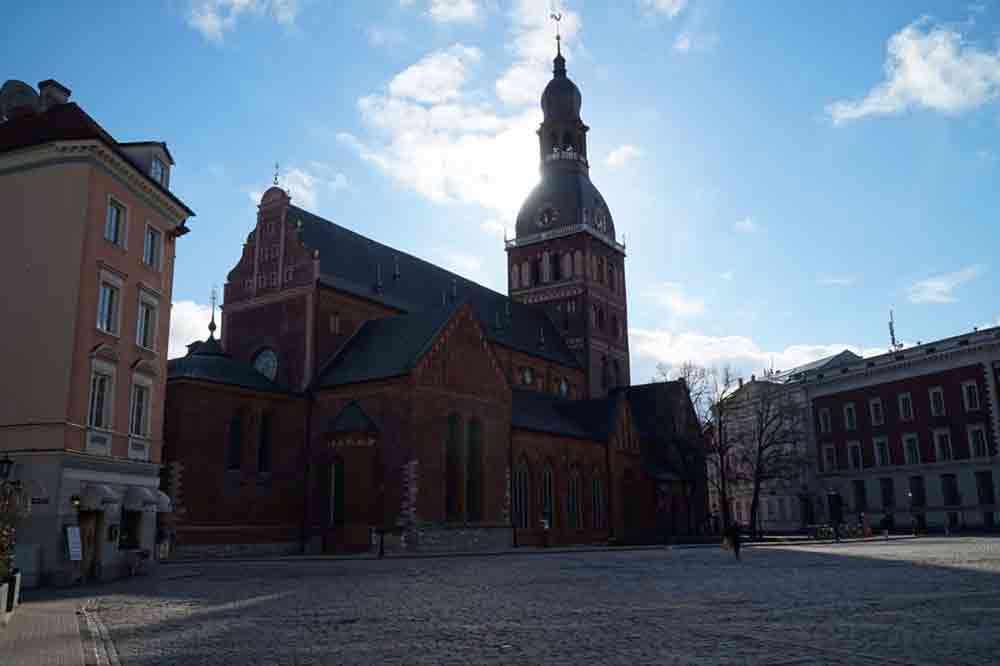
(766, 430)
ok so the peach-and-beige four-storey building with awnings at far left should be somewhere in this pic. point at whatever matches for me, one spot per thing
(91, 229)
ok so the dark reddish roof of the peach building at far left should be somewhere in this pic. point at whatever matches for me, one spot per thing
(67, 122)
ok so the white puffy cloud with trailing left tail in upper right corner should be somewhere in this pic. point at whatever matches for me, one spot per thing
(928, 67)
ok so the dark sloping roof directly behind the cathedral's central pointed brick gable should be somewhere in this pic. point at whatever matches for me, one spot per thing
(386, 347)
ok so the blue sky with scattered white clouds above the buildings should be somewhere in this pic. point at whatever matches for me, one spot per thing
(783, 174)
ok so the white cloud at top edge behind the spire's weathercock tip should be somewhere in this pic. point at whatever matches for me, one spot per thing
(533, 49)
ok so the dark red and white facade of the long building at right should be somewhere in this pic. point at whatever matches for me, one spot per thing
(910, 437)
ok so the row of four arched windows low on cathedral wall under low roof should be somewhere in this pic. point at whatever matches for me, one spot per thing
(542, 507)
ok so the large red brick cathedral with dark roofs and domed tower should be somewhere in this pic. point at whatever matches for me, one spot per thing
(357, 388)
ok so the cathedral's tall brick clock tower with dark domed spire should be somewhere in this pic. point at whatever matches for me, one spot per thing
(565, 257)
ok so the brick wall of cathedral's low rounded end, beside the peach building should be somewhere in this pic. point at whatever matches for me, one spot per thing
(241, 506)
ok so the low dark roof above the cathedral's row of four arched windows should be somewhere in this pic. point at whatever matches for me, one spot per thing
(583, 419)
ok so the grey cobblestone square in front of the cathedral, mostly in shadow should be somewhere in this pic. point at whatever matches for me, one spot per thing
(925, 601)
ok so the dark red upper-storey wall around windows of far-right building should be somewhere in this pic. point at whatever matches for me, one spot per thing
(923, 423)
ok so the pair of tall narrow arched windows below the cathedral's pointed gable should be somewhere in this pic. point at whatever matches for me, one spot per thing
(464, 470)
